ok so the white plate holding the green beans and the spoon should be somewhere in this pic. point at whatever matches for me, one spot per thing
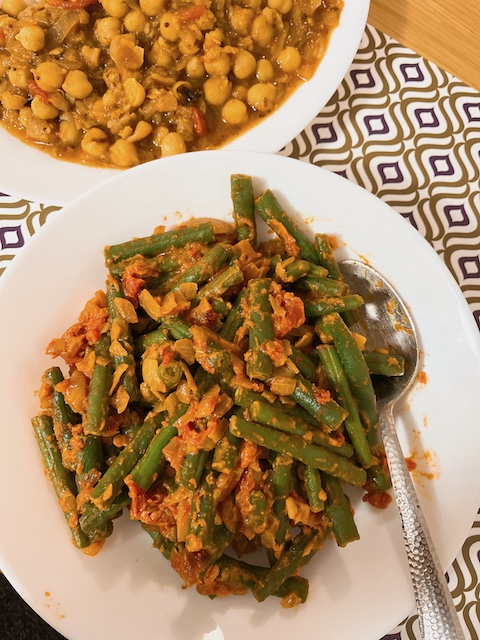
(129, 590)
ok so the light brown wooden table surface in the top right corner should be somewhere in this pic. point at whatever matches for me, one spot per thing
(446, 32)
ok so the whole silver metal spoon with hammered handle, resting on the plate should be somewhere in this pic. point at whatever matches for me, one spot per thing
(386, 323)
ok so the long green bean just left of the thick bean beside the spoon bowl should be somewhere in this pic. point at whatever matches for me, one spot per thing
(338, 379)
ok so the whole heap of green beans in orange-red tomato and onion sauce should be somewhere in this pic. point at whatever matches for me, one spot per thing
(217, 392)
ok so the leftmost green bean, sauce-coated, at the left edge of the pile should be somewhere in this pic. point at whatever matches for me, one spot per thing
(62, 479)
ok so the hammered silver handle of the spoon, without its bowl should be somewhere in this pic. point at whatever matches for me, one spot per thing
(437, 615)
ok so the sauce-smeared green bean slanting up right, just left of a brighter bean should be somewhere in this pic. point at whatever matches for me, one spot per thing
(110, 484)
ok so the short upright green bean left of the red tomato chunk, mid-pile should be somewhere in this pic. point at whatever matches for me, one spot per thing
(257, 313)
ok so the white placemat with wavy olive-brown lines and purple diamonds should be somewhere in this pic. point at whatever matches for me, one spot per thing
(410, 133)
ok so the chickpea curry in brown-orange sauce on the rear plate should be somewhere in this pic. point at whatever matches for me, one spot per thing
(121, 82)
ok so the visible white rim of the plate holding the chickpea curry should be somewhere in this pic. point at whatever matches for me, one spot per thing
(34, 175)
